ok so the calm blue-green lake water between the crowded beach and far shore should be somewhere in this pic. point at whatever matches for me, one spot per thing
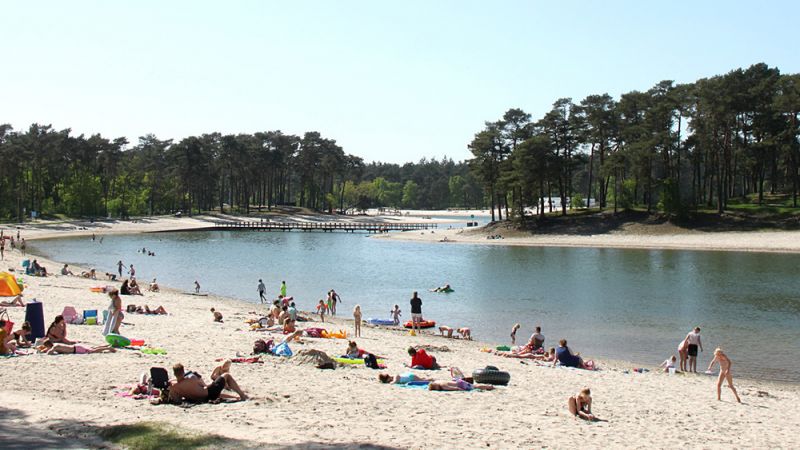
(633, 305)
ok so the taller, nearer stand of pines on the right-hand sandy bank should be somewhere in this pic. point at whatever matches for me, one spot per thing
(673, 148)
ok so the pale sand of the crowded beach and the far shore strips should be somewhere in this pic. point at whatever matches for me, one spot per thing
(61, 401)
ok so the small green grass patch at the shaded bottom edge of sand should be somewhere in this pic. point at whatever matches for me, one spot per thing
(157, 435)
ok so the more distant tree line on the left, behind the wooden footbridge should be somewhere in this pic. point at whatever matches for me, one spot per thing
(54, 172)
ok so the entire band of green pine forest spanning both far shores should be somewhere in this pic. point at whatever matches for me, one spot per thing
(673, 149)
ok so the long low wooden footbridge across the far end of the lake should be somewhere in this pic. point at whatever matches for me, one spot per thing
(369, 227)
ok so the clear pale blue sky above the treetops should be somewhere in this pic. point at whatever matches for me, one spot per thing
(390, 81)
